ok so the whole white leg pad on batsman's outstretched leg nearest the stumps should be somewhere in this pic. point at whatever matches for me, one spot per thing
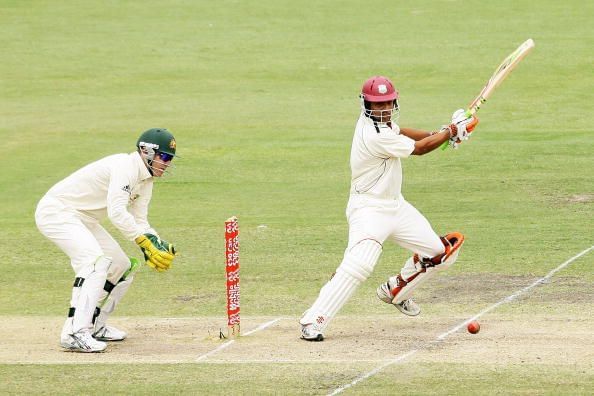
(358, 263)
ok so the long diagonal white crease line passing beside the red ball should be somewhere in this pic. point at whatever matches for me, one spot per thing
(443, 336)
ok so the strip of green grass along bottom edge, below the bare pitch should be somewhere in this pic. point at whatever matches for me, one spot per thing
(424, 378)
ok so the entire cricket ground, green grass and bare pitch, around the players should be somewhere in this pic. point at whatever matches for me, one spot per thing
(262, 98)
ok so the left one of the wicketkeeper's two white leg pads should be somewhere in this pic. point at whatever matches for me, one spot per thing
(90, 293)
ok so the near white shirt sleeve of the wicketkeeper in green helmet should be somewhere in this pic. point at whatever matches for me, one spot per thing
(123, 177)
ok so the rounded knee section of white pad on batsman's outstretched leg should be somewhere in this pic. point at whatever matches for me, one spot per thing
(360, 260)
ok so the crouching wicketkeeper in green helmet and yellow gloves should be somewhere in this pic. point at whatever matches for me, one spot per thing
(118, 187)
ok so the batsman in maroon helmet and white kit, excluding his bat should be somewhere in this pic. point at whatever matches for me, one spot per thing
(377, 211)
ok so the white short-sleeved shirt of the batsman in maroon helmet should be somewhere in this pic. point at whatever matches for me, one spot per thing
(375, 159)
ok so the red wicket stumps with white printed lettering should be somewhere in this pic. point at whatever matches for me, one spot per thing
(232, 270)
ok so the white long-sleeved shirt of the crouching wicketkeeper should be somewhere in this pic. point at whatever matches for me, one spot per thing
(119, 187)
